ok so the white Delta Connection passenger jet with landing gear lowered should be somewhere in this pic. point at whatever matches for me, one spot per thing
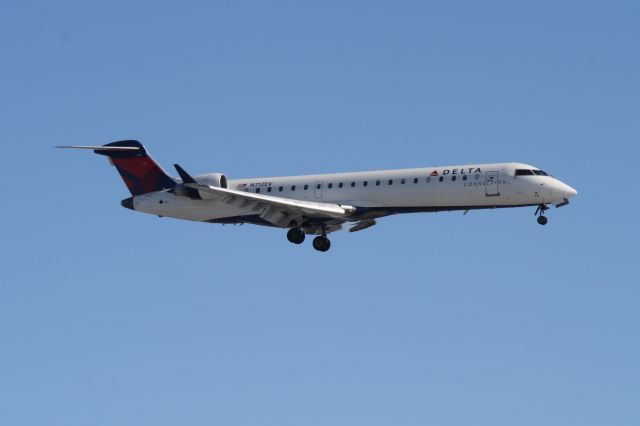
(324, 203)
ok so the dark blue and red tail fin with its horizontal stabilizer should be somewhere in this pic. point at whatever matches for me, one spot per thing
(139, 171)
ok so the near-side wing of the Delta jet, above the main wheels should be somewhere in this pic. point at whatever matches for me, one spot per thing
(277, 210)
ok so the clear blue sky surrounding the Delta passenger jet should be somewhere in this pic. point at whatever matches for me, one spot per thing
(108, 316)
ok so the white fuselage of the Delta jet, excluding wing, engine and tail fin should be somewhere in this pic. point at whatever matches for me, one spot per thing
(380, 193)
